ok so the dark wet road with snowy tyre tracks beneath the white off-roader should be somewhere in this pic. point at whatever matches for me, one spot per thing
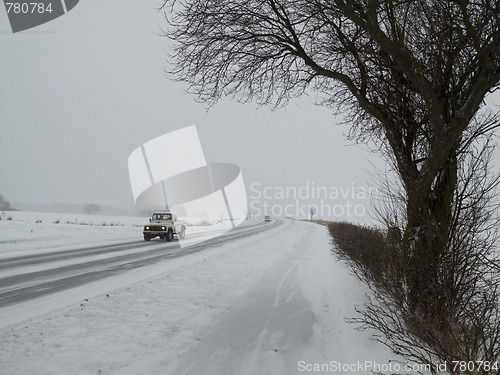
(30, 276)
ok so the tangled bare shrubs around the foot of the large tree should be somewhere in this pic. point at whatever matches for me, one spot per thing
(461, 322)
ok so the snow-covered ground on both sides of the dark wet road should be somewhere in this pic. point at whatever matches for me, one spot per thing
(272, 303)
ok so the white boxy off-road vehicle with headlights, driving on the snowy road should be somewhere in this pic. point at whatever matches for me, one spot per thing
(164, 225)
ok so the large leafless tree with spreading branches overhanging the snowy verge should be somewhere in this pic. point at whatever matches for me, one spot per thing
(410, 76)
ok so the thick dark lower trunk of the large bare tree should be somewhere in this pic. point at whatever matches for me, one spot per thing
(426, 240)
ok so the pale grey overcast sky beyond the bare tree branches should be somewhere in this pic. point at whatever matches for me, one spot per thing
(80, 93)
